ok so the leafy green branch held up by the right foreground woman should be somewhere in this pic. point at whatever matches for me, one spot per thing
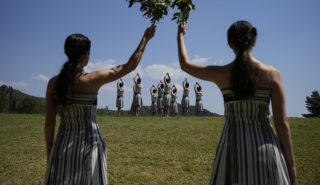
(185, 6)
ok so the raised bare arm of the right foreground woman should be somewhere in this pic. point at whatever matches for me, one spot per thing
(209, 73)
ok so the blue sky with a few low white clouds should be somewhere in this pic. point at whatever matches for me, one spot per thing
(33, 34)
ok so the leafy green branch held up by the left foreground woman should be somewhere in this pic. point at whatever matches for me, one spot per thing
(154, 9)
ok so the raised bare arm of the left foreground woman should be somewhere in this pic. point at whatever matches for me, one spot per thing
(101, 77)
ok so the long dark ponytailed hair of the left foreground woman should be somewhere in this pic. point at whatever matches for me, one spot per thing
(74, 47)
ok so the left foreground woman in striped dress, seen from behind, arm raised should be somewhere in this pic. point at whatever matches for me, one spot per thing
(78, 155)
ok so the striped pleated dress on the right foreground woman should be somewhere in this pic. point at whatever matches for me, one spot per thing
(249, 152)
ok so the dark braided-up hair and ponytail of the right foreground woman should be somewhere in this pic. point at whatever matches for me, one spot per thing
(244, 76)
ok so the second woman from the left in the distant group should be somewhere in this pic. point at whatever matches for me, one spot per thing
(137, 99)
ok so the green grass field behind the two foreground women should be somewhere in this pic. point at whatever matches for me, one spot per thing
(145, 150)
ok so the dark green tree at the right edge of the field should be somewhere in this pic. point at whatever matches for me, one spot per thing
(313, 105)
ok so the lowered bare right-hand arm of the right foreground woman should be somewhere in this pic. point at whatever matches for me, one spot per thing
(281, 122)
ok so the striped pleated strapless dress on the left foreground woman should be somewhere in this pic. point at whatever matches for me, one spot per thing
(78, 155)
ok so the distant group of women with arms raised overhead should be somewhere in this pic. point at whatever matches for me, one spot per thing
(163, 97)
